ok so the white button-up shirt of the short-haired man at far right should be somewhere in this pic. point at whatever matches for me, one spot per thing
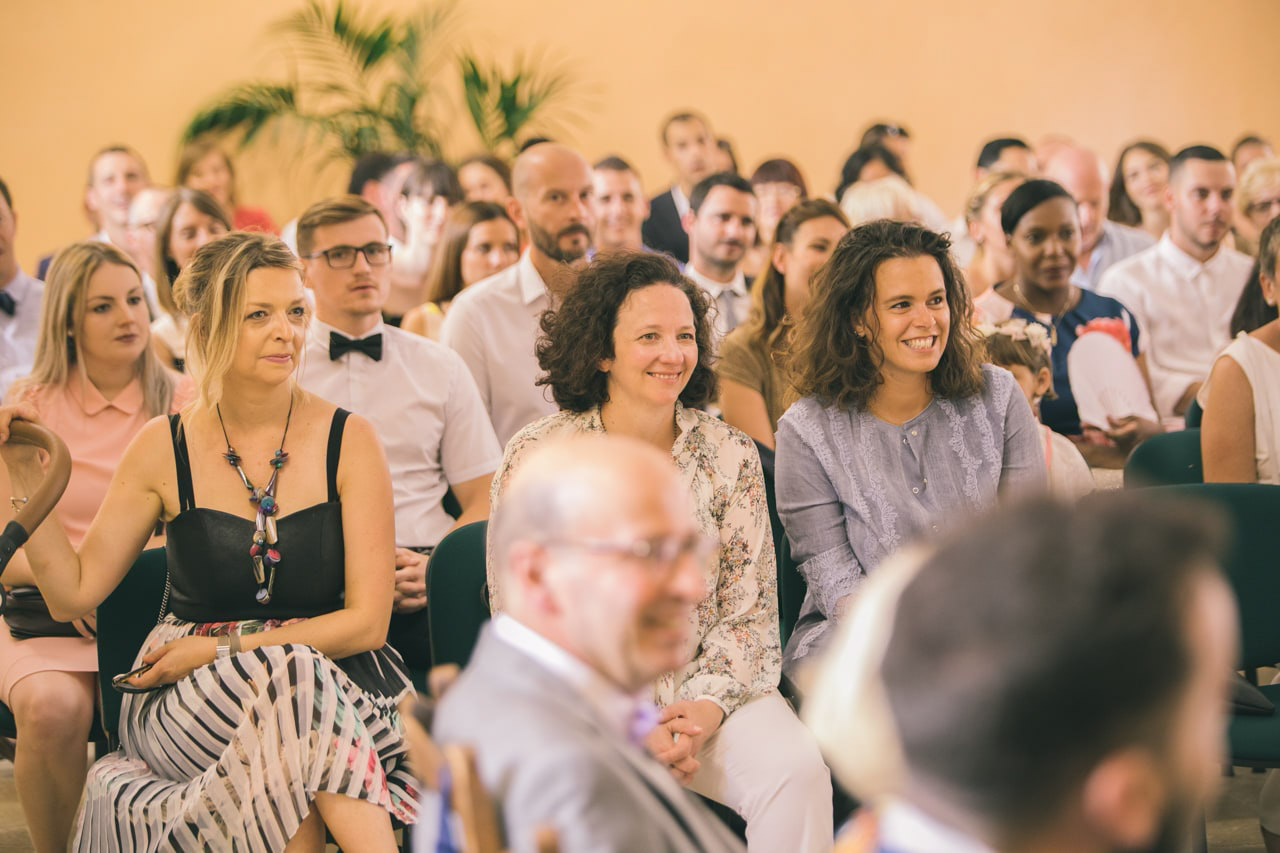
(1183, 311)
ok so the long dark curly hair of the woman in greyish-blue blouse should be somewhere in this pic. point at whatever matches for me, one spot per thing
(830, 362)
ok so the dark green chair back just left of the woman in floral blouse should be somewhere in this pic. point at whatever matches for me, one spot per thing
(458, 595)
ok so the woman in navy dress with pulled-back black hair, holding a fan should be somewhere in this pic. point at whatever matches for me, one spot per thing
(1044, 234)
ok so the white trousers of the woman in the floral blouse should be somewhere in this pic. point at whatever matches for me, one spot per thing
(765, 765)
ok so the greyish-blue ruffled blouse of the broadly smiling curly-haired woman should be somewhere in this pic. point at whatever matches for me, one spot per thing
(852, 489)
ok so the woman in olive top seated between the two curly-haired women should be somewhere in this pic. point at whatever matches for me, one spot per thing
(755, 387)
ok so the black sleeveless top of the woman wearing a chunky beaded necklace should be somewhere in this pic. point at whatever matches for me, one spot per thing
(208, 551)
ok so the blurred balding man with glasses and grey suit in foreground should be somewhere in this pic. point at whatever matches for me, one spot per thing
(600, 596)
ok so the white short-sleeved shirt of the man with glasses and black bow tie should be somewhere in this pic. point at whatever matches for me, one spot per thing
(424, 405)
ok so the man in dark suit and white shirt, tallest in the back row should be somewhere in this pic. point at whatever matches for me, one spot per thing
(688, 145)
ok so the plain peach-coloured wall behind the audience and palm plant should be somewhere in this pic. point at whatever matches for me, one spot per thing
(799, 79)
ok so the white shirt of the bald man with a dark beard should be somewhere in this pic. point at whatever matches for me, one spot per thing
(493, 326)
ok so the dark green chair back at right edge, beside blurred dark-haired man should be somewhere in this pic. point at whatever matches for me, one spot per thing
(1252, 562)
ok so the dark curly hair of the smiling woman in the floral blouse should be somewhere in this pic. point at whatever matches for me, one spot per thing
(579, 335)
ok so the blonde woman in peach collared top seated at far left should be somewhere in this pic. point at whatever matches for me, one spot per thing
(95, 382)
